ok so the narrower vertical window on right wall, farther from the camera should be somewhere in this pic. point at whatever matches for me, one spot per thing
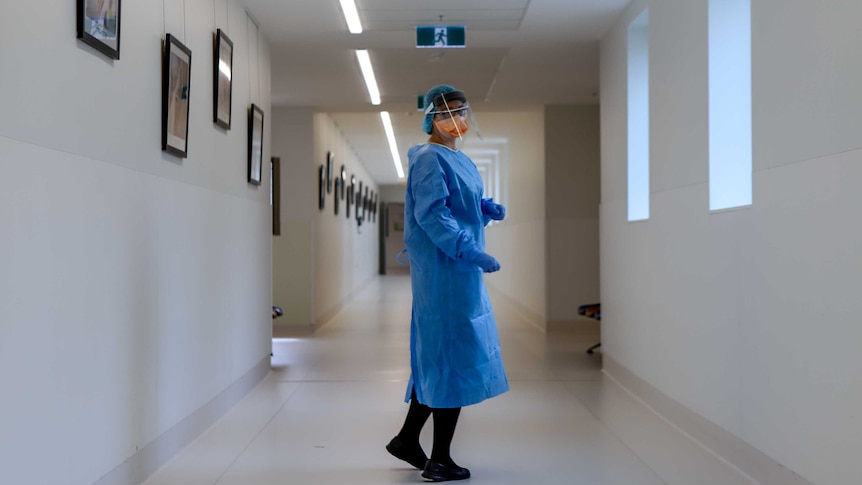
(638, 118)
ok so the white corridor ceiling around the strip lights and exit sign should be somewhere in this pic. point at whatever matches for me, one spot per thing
(520, 54)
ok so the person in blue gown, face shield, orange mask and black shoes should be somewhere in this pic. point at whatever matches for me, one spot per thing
(455, 356)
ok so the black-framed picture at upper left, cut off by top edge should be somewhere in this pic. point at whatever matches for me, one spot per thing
(99, 25)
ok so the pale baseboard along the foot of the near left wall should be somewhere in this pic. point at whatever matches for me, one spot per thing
(138, 467)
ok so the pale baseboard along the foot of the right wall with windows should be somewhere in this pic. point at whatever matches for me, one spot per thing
(759, 466)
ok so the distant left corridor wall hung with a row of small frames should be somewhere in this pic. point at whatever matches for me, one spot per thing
(320, 259)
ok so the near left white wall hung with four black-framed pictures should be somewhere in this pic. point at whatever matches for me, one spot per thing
(134, 286)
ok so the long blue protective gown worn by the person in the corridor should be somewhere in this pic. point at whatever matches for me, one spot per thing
(455, 356)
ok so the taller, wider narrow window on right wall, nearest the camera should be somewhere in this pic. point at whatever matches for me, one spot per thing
(730, 168)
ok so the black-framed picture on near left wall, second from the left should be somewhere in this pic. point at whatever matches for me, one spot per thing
(176, 92)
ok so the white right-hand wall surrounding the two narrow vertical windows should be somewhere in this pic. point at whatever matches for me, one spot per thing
(748, 318)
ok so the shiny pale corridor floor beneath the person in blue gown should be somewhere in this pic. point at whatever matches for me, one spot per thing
(335, 398)
